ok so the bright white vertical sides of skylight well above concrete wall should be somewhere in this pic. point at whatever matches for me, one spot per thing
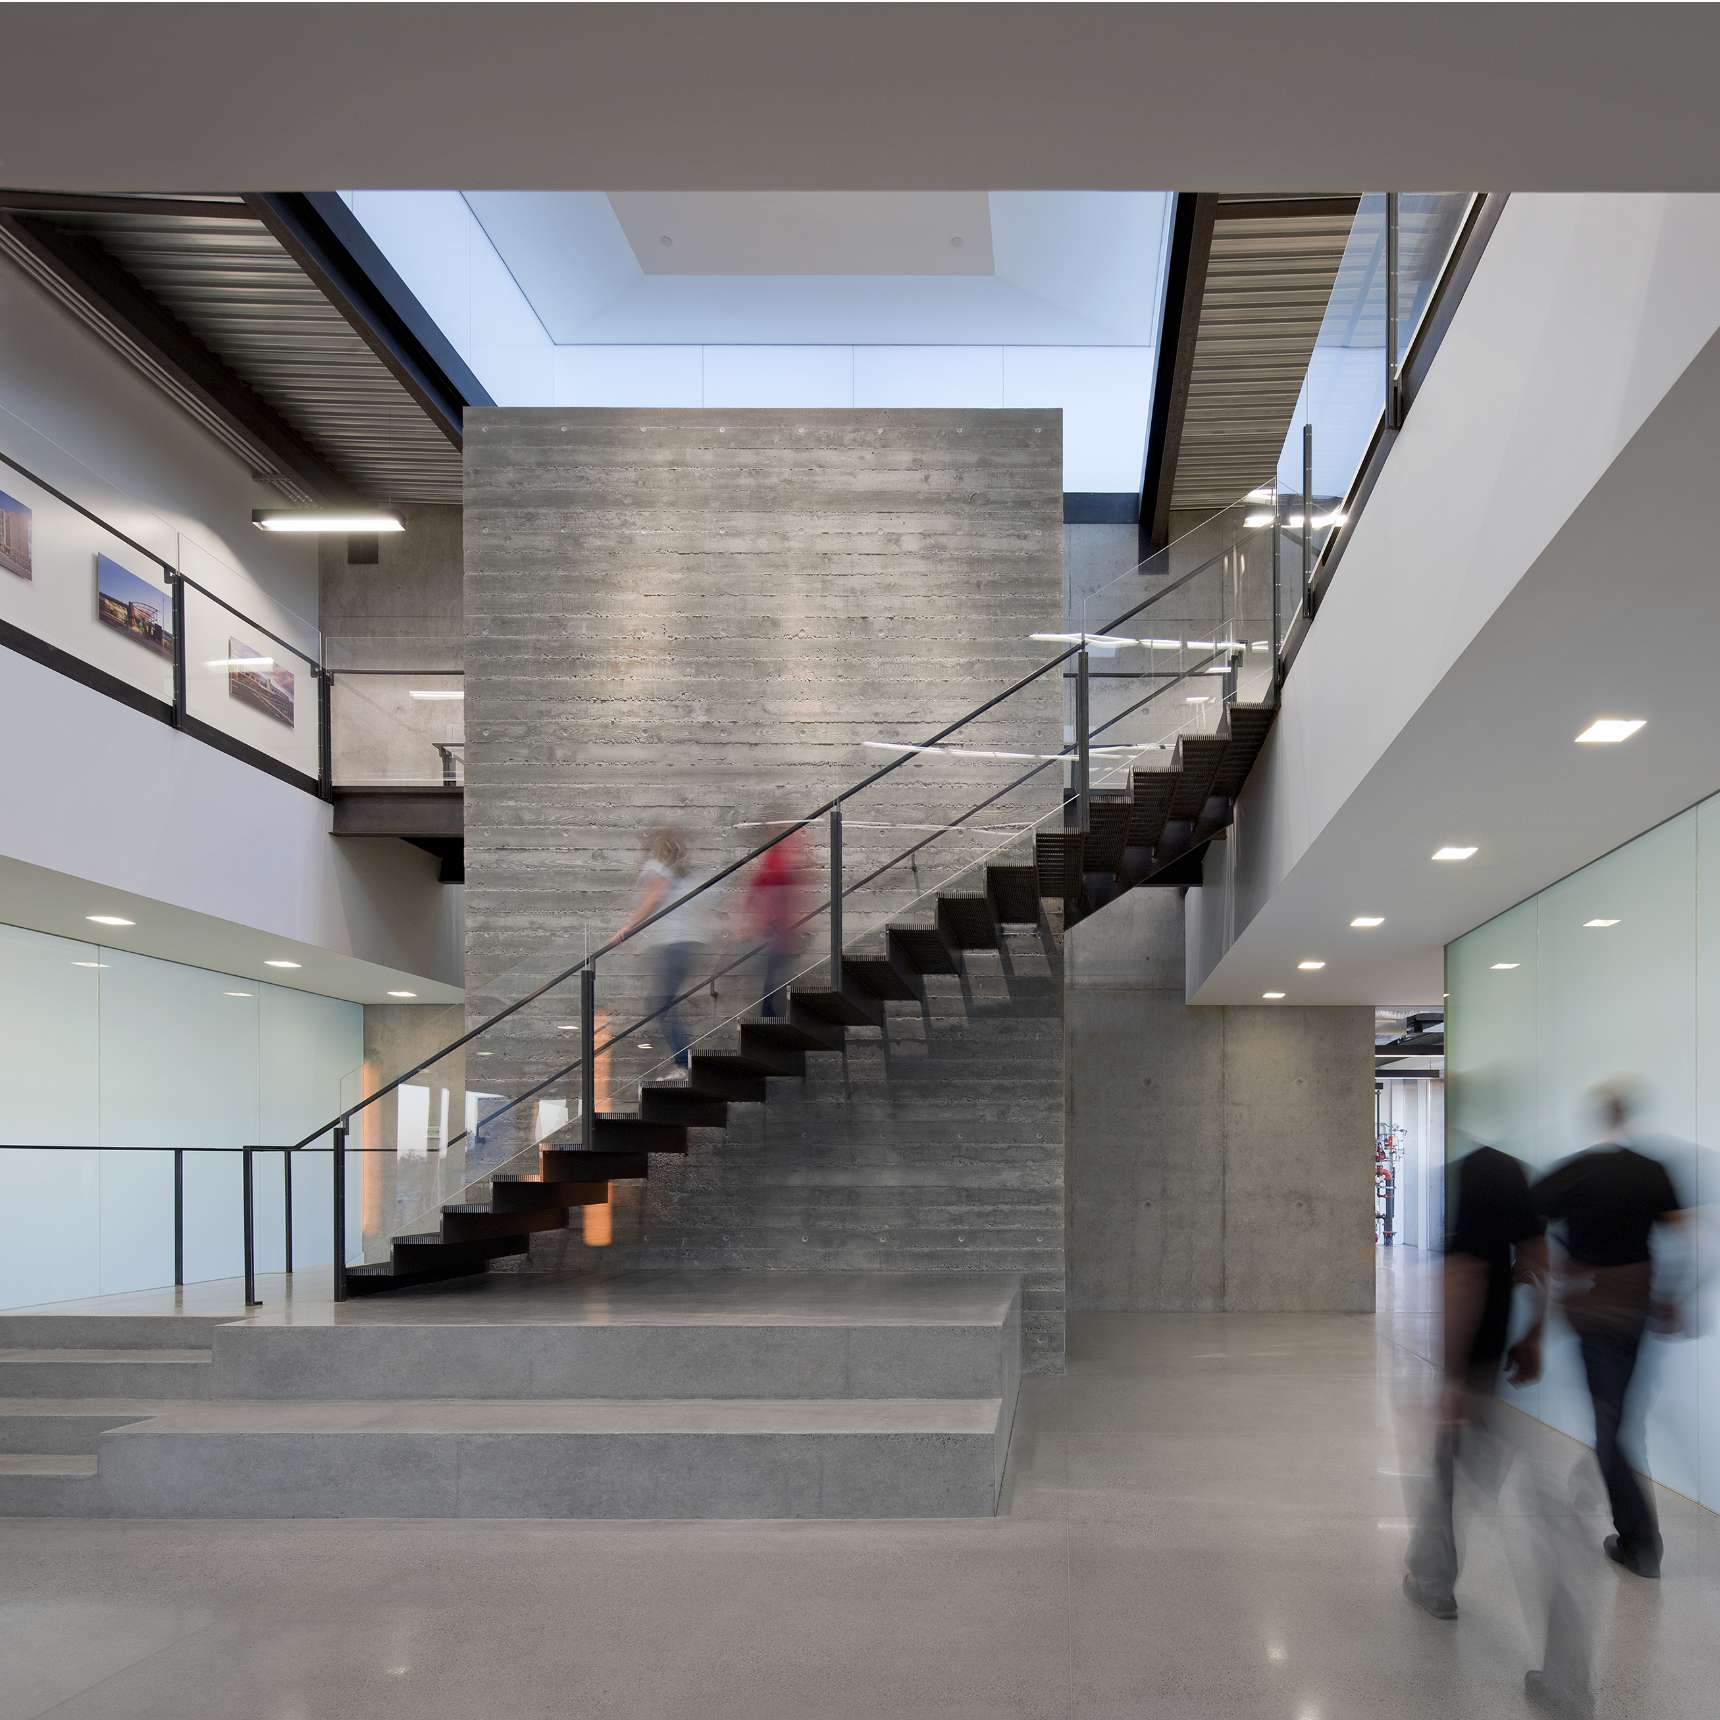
(445, 255)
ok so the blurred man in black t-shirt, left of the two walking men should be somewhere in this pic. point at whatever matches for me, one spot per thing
(1494, 1244)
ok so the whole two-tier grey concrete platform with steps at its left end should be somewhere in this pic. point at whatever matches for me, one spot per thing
(670, 1396)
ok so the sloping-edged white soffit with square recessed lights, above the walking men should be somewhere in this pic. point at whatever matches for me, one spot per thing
(1619, 615)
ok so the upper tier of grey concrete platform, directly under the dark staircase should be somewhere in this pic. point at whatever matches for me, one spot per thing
(649, 1336)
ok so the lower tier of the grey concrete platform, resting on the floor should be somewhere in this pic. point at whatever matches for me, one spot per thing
(797, 1458)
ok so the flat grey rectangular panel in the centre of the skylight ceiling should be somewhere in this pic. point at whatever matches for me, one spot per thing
(808, 233)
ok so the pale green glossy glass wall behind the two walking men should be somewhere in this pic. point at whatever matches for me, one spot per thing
(1585, 1005)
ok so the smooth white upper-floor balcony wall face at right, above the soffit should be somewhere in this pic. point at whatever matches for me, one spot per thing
(1583, 314)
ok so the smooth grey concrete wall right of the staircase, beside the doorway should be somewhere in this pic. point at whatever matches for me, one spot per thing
(1219, 1158)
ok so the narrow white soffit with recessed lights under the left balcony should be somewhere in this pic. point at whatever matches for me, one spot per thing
(56, 902)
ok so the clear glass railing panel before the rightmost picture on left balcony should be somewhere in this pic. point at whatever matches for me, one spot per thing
(252, 680)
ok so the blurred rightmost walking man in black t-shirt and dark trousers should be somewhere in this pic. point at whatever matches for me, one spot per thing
(1606, 1205)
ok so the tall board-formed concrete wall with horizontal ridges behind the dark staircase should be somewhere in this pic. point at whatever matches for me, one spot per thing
(699, 618)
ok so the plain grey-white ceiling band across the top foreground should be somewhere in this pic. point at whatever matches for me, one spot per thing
(863, 97)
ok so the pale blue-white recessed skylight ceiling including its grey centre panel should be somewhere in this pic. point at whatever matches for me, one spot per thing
(1060, 267)
